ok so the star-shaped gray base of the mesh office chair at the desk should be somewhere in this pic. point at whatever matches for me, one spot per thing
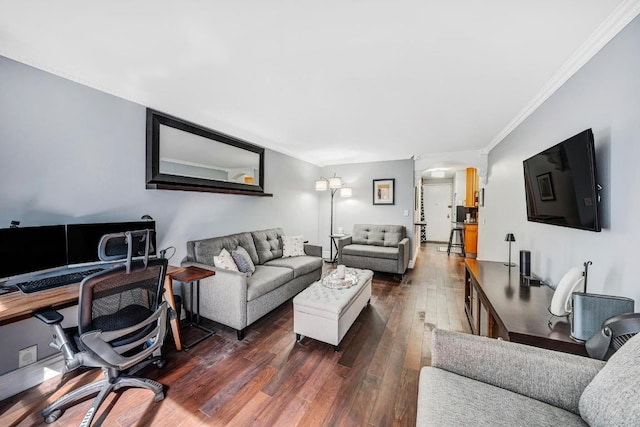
(111, 382)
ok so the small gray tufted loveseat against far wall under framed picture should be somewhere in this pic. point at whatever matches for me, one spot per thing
(375, 247)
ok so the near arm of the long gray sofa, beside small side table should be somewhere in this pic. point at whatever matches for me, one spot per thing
(225, 295)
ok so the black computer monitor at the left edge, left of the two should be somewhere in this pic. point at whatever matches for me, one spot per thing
(31, 249)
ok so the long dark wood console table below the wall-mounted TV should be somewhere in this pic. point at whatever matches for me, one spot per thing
(497, 306)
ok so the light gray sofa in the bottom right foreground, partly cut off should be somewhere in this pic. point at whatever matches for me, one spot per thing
(479, 381)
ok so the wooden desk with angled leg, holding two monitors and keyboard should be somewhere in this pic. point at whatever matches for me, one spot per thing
(16, 306)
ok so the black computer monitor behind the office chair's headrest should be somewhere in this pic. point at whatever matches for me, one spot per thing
(83, 239)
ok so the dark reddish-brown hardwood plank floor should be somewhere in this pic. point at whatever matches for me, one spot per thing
(268, 379)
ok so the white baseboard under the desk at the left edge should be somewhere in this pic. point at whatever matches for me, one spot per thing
(22, 379)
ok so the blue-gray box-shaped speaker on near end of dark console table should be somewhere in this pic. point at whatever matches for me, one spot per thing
(591, 310)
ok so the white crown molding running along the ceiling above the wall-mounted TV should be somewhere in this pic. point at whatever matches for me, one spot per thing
(614, 23)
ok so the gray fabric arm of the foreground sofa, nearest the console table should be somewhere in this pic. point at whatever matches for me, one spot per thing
(549, 376)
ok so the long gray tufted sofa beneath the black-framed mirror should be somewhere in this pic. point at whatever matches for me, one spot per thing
(235, 300)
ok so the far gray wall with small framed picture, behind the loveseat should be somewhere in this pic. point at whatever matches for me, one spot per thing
(359, 209)
